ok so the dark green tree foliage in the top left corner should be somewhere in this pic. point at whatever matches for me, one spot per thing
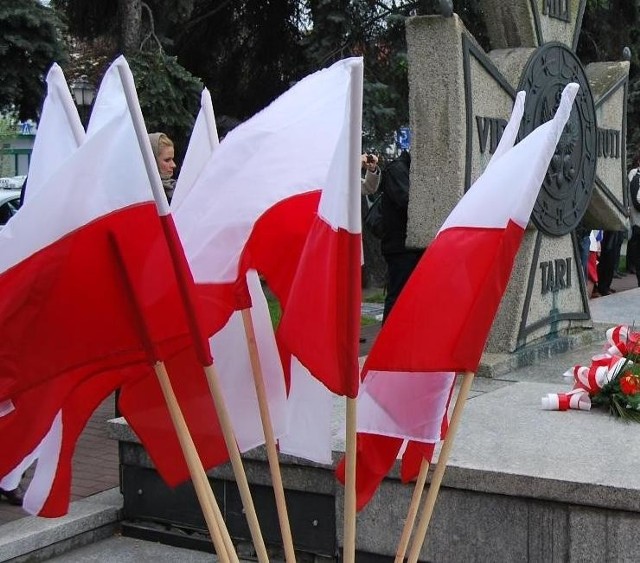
(30, 41)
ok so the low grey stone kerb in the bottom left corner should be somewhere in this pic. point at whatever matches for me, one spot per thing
(38, 539)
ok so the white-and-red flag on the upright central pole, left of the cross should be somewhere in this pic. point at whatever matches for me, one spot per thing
(281, 195)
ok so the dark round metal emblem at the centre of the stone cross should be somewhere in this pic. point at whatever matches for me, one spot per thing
(566, 190)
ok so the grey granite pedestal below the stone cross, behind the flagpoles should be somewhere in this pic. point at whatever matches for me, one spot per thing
(519, 486)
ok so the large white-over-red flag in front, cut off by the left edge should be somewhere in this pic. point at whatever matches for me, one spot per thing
(61, 290)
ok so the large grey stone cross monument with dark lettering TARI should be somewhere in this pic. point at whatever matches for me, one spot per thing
(460, 99)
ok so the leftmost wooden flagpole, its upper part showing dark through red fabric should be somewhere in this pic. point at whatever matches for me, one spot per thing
(213, 517)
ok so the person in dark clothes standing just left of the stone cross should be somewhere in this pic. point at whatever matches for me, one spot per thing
(400, 260)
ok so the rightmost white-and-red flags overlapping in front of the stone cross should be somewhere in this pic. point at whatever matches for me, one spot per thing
(409, 373)
